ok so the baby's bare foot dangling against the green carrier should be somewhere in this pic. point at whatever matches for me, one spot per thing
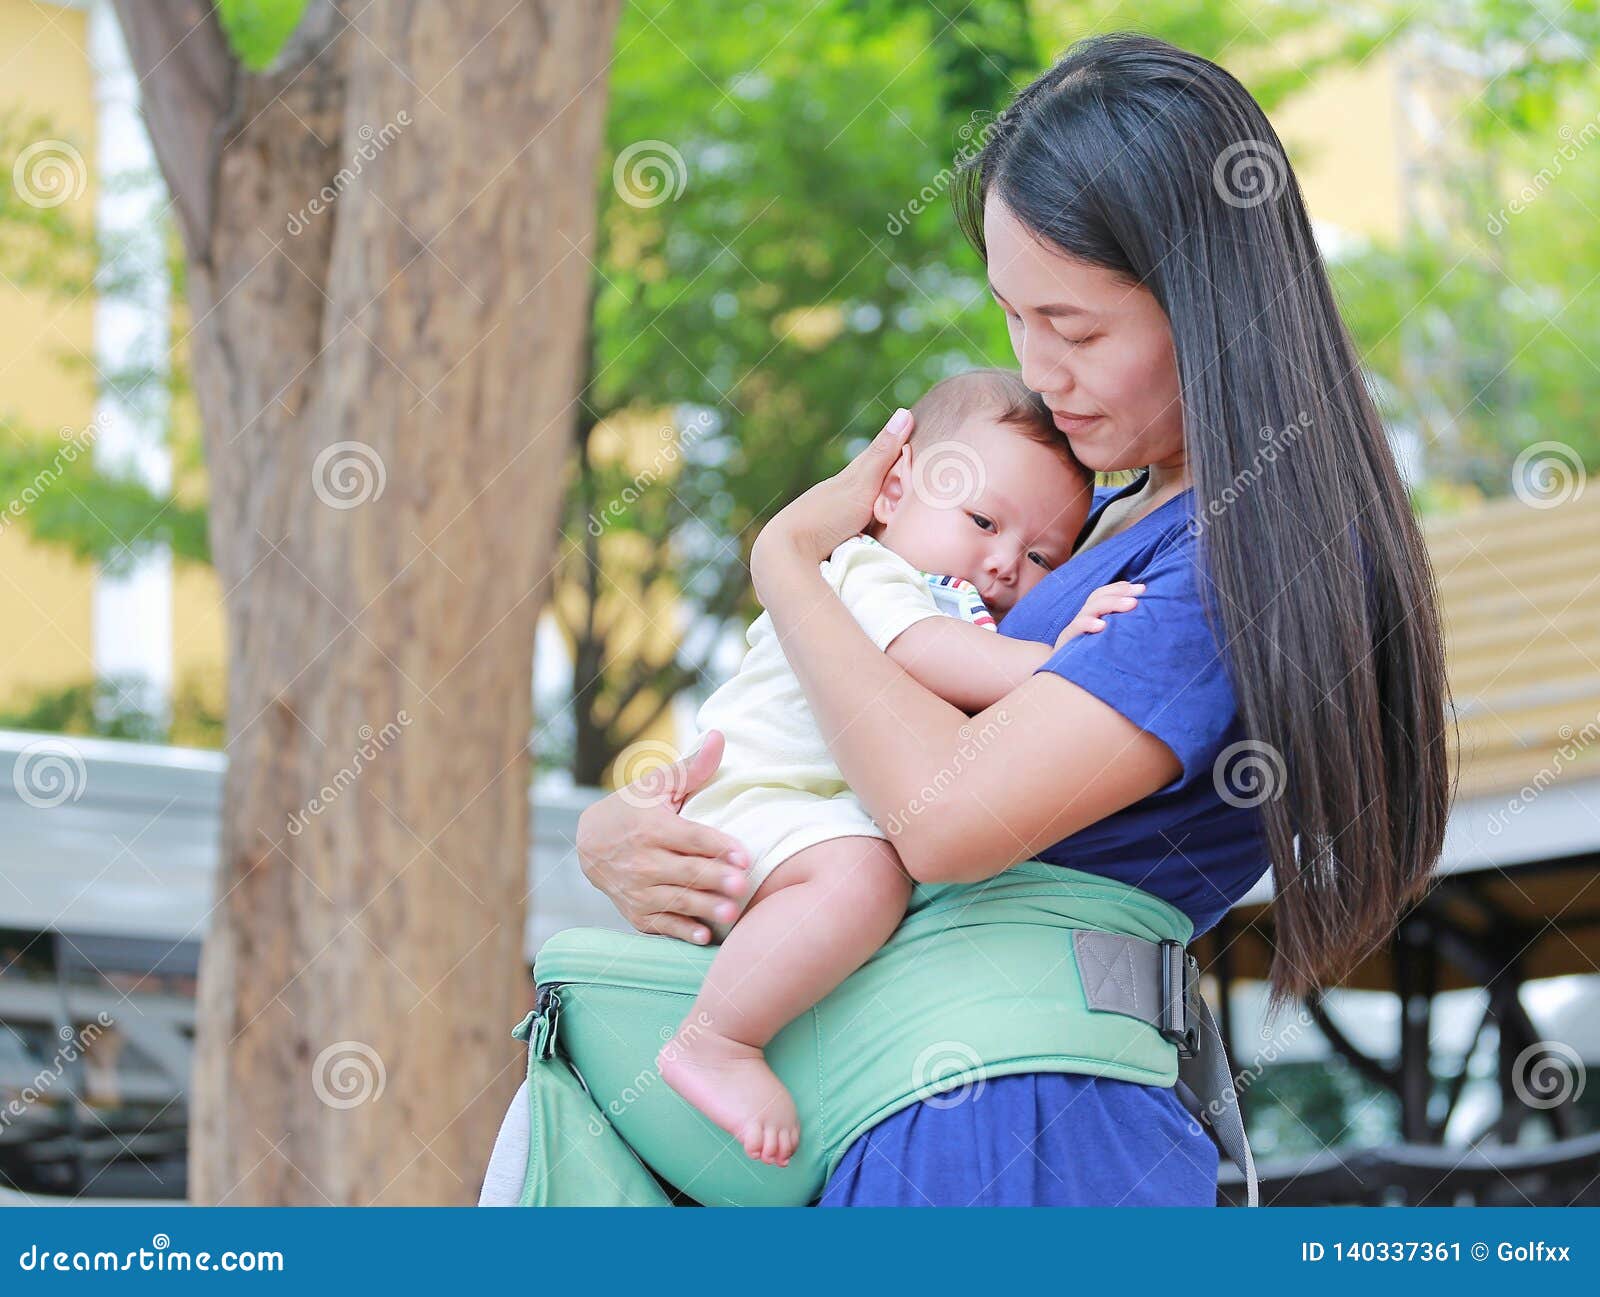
(735, 1088)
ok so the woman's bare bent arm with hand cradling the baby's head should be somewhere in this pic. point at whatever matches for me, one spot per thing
(970, 796)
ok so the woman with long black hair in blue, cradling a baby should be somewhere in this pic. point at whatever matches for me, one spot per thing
(1164, 293)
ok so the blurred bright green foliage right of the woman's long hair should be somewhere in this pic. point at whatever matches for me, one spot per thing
(1476, 327)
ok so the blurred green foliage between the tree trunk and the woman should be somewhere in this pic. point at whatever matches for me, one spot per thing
(806, 281)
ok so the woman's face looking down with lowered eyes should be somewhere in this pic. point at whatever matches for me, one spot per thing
(1097, 349)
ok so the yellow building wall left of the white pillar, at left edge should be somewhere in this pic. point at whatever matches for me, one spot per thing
(46, 599)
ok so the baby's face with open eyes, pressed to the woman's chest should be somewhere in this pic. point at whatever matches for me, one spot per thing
(986, 505)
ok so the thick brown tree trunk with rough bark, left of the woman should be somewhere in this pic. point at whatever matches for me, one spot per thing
(386, 380)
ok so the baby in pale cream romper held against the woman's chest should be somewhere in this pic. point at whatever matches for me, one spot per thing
(983, 503)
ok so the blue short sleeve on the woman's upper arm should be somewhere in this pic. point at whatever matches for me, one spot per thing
(1159, 664)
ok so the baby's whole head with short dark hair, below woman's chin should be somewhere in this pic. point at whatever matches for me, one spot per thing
(988, 489)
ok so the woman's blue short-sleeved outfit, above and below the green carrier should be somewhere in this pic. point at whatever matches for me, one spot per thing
(1063, 1139)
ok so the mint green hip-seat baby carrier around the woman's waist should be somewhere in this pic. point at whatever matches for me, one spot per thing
(1036, 970)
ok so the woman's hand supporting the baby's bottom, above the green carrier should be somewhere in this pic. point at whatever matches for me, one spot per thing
(665, 874)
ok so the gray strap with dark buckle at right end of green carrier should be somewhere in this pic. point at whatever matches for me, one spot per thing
(1129, 976)
